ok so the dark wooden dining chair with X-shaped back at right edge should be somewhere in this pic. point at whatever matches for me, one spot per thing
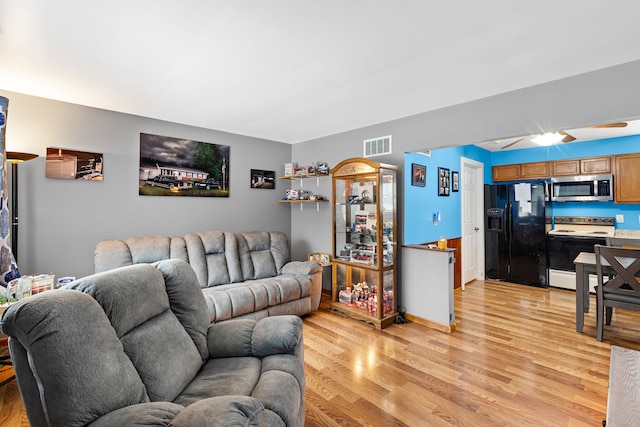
(618, 284)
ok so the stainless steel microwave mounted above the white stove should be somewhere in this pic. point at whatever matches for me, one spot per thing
(582, 188)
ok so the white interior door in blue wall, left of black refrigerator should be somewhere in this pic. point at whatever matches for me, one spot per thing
(472, 200)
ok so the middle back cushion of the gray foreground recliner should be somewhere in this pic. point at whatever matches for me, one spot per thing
(135, 300)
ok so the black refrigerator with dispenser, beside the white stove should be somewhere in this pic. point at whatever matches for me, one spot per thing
(515, 233)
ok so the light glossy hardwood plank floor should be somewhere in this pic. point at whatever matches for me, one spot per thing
(515, 359)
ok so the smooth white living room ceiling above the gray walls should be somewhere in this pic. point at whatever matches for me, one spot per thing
(295, 70)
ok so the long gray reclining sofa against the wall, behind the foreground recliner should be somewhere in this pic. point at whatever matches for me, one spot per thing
(242, 275)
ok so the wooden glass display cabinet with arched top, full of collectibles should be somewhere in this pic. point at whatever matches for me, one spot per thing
(364, 241)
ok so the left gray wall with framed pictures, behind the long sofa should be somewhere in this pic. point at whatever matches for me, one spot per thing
(62, 220)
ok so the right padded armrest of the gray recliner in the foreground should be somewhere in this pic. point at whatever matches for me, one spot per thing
(261, 338)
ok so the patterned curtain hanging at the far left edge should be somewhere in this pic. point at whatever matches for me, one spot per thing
(8, 266)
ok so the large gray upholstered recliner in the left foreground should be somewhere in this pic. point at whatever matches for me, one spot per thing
(133, 346)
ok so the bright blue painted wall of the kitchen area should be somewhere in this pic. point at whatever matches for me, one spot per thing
(421, 203)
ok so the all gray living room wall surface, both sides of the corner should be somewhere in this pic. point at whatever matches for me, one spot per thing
(61, 221)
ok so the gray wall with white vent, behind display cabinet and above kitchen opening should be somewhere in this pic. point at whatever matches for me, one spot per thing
(602, 96)
